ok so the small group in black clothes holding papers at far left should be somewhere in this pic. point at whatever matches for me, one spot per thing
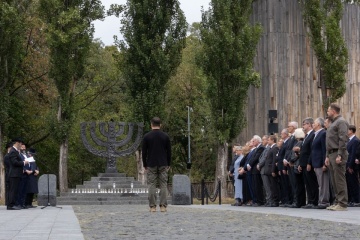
(20, 175)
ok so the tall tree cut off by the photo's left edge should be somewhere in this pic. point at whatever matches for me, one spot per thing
(13, 27)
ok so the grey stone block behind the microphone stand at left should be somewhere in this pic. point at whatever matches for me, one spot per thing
(44, 189)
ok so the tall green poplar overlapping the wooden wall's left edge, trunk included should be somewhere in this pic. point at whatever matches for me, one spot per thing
(229, 48)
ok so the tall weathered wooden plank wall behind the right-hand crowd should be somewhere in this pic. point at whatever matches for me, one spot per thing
(288, 69)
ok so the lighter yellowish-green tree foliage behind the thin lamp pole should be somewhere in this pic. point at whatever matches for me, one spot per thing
(188, 88)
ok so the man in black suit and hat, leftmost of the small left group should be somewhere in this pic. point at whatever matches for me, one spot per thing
(15, 173)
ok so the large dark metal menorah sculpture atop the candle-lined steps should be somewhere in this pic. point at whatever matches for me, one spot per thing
(111, 144)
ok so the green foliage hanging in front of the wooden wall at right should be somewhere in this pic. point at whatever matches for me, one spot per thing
(323, 21)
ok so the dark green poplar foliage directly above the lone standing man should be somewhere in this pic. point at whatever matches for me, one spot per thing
(154, 34)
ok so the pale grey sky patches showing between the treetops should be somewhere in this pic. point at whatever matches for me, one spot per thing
(105, 30)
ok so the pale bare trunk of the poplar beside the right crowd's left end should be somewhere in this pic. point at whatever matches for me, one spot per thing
(221, 163)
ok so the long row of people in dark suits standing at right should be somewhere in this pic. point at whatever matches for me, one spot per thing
(313, 167)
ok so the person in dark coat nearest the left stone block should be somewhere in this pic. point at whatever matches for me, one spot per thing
(32, 187)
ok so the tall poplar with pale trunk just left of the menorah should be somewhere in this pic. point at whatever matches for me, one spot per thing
(69, 35)
